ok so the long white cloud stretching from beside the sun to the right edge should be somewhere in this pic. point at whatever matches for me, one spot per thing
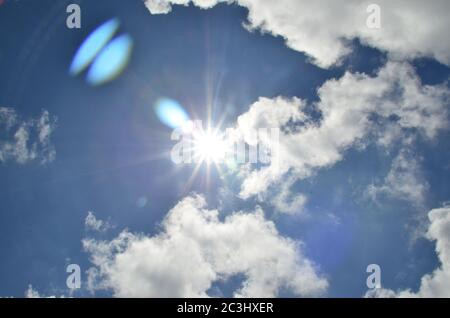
(353, 108)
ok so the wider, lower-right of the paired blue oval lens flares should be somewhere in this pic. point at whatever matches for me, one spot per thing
(111, 61)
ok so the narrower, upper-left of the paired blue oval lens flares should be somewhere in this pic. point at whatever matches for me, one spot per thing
(93, 45)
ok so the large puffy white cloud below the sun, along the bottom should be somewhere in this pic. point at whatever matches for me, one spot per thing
(195, 249)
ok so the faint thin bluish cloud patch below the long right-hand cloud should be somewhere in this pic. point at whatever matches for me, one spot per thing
(404, 180)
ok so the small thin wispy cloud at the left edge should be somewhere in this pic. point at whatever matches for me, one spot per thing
(24, 141)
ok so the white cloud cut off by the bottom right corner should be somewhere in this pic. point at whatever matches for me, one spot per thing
(437, 283)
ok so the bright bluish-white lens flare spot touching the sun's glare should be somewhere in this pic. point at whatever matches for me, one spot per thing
(171, 113)
